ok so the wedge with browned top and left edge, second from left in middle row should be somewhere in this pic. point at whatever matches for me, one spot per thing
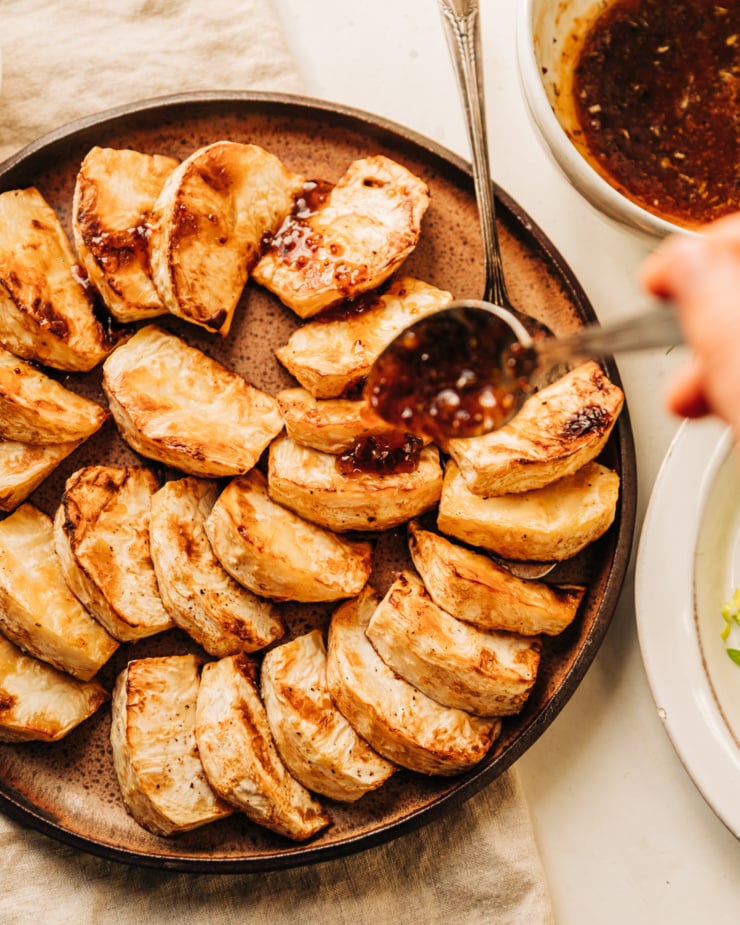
(101, 535)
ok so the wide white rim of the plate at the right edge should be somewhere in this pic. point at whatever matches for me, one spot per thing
(688, 712)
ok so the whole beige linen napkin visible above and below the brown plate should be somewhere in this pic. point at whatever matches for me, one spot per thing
(63, 59)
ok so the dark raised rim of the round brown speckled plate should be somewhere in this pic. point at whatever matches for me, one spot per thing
(624, 525)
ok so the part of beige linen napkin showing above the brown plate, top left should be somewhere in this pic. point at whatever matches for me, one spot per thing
(63, 59)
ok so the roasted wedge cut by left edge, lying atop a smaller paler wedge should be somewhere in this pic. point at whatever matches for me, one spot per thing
(34, 408)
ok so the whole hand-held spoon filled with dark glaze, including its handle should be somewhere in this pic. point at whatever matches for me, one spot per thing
(468, 369)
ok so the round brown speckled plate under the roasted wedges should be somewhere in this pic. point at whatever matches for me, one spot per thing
(68, 789)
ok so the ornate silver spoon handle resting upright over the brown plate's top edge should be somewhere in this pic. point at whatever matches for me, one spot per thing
(460, 19)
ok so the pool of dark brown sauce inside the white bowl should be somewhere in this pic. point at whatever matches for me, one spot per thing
(656, 97)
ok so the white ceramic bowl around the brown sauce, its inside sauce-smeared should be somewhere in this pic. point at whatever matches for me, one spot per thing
(545, 30)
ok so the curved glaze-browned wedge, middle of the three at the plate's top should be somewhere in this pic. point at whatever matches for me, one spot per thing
(208, 225)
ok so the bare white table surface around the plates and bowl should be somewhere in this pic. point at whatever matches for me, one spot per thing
(624, 835)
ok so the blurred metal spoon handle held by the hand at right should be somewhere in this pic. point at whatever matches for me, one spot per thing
(653, 328)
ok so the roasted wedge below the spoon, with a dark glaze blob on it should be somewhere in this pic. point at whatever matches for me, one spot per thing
(311, 484)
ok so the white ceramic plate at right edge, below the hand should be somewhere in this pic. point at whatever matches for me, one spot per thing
(688, 565)
